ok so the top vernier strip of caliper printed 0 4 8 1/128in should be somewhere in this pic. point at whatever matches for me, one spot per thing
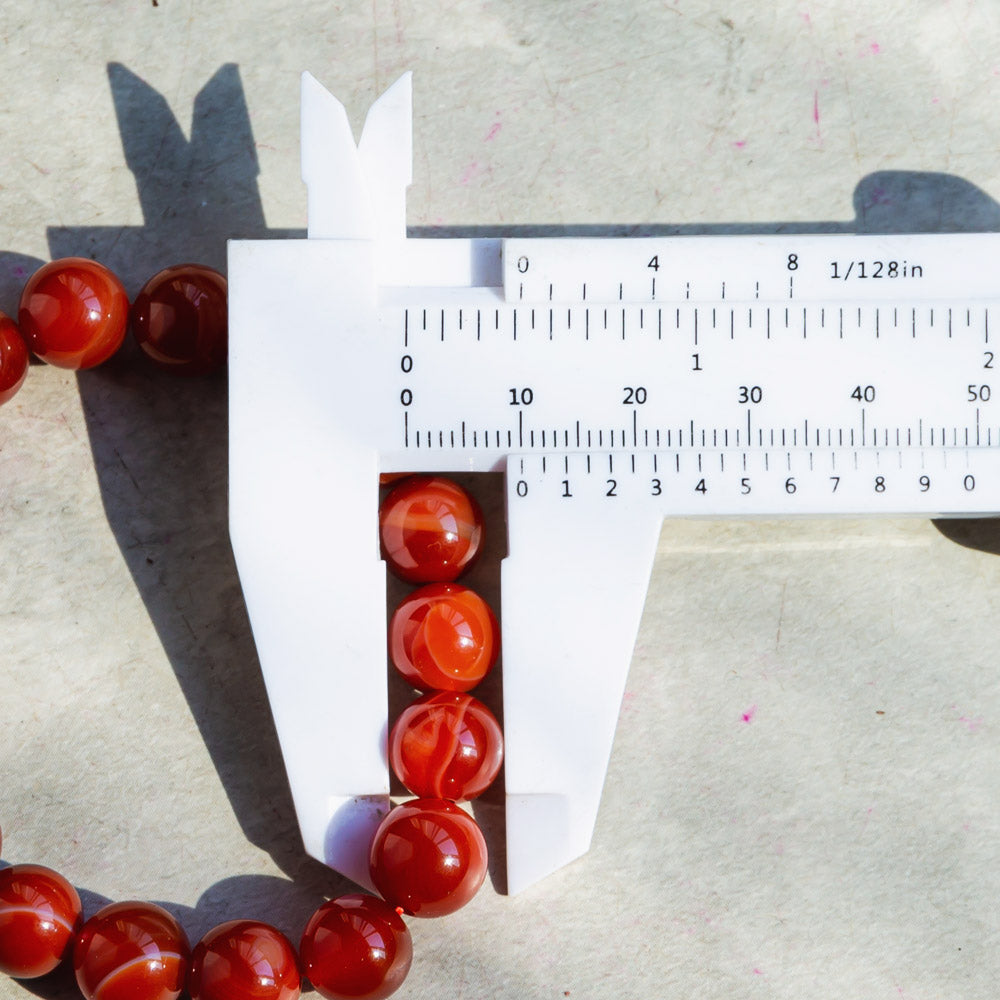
(715, 268)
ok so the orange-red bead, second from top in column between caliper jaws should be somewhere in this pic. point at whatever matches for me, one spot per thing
(444, 637)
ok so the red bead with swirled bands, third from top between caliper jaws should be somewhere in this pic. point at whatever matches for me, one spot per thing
(446, 745)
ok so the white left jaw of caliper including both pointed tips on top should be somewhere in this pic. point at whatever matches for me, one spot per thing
(304, 469)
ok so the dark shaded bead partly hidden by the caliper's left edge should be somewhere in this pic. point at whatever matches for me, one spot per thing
(180, 319)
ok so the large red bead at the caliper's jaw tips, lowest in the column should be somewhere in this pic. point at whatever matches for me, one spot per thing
(428, 857)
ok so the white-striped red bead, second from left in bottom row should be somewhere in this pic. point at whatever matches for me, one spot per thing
(131, 951)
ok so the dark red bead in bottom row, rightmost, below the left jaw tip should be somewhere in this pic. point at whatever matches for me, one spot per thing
(356, 946)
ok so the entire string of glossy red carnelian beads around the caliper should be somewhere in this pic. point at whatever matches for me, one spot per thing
(428, 856)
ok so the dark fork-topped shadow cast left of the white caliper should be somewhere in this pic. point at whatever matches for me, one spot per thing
(160, 448)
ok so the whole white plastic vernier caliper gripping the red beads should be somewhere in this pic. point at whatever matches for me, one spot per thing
(616, 382)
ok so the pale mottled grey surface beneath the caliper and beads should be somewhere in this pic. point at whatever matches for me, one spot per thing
(841, 840)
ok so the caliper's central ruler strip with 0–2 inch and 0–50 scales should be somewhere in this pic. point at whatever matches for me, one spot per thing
(670, 391)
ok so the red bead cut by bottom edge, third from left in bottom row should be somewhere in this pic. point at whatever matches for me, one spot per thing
(244, 960)
